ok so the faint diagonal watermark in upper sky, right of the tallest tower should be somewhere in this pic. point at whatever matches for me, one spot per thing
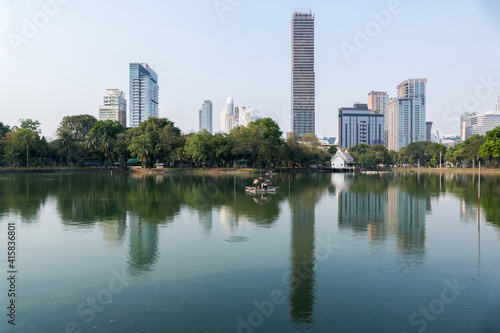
(372, 29)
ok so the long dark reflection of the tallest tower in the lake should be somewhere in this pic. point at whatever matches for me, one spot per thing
(306, 191)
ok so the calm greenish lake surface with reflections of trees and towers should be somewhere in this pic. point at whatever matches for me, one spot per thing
(181, 253)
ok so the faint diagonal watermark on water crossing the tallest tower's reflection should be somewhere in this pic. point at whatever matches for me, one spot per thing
(266, 308)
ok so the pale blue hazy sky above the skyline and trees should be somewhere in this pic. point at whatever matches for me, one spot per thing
(58, 57)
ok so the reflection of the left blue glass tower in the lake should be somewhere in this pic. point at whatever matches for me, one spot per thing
(143, 244)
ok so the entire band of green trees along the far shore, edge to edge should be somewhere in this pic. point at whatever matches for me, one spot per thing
(83, 140)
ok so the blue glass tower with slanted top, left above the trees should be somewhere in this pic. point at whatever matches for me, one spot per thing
(143, 93)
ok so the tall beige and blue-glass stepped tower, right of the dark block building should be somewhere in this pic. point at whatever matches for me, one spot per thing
(406, 114)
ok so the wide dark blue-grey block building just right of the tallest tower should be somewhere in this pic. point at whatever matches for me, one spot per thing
(360, 125)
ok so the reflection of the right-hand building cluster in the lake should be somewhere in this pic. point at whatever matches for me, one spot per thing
(379, 207)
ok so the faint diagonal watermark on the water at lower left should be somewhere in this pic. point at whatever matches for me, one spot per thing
(98, 302)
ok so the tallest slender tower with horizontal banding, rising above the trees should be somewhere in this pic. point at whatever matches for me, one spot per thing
(303, 75)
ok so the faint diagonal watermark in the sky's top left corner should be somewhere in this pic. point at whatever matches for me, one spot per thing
(30, 27)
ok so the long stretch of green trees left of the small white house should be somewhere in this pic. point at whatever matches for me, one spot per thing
(83, 140)
